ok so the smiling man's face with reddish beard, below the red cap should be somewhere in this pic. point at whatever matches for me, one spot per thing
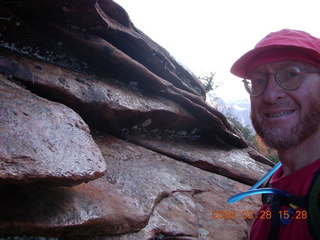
(285, 118)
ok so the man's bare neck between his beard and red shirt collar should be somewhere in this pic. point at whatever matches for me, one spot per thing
(298, 157)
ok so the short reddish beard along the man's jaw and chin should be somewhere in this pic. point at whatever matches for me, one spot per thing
(280, 138)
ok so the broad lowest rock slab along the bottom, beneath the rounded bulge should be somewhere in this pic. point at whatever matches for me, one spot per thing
(143, 190)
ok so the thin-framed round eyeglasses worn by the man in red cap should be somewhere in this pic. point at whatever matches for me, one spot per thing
(288, 77)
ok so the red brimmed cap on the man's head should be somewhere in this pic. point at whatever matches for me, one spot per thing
(278, 46)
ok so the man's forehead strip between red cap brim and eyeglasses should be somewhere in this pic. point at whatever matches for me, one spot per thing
(275, 66)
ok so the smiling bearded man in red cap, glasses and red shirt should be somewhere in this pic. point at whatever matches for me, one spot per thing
(282, 76)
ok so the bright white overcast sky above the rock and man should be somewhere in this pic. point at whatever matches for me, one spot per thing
(210, 35)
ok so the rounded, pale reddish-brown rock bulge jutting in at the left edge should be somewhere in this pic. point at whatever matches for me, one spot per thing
(43, 141)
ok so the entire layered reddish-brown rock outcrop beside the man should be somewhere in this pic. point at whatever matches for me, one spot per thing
(104, 136)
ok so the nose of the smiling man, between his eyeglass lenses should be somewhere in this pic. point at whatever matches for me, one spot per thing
(273, 92)
